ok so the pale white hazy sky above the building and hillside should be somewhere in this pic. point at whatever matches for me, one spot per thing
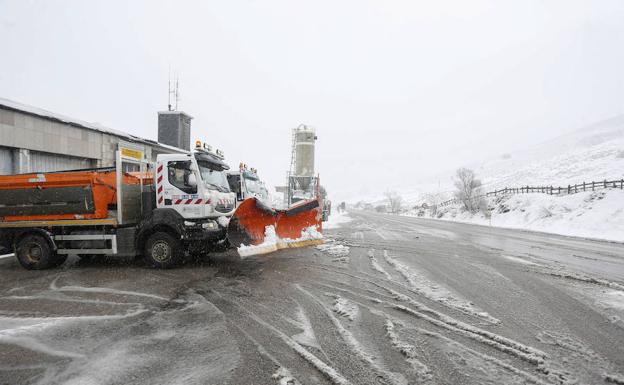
(397, 90)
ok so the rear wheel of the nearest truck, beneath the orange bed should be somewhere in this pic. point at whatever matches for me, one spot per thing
(35, 253)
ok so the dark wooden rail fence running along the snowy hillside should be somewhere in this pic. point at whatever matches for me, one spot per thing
(551, 190)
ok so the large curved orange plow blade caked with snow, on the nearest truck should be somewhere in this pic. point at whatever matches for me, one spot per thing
(250, 220)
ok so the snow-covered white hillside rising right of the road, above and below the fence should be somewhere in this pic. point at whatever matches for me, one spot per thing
(593, 153)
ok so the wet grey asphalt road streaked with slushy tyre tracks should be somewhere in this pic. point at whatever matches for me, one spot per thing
(389, 300)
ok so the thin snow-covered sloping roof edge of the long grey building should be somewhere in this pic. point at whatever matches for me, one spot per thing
(13, 105)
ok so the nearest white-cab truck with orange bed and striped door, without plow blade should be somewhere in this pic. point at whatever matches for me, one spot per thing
(161, 211)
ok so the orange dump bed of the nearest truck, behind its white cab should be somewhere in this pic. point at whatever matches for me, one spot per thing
(98, 186)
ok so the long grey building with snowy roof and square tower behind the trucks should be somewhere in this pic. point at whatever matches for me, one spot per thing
(36, 140)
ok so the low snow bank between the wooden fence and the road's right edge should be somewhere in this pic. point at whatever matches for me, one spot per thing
(591, 214)
